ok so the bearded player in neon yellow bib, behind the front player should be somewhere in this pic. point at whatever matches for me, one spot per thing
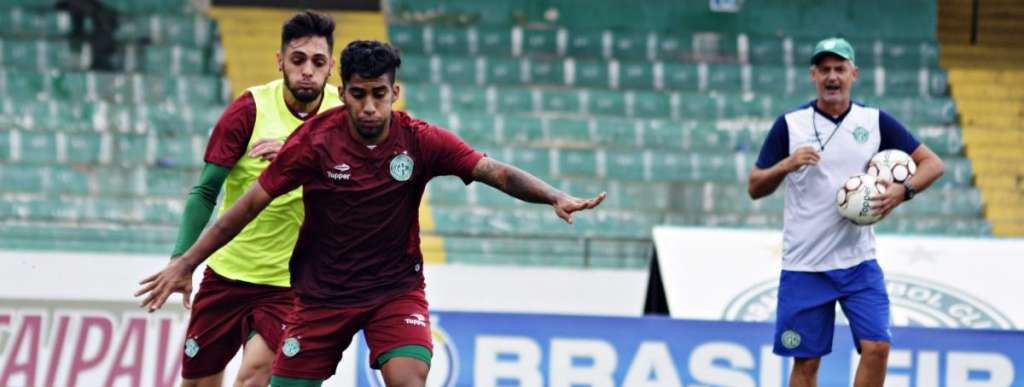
(245, 294)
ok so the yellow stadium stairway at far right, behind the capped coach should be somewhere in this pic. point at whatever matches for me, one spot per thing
(988, 82)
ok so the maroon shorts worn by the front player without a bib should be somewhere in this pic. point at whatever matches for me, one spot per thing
(317, 335)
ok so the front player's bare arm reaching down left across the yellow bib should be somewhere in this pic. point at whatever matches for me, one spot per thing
(177, 278)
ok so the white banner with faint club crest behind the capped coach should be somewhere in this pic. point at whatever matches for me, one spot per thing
(733, 275)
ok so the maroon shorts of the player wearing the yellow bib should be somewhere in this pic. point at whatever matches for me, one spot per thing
(225, 314)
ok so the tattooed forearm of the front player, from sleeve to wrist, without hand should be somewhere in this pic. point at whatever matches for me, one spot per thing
(516, 182)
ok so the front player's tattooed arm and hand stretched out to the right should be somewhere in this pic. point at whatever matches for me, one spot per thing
(528, 188)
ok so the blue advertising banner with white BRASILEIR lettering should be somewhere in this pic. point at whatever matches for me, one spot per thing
(496, 350)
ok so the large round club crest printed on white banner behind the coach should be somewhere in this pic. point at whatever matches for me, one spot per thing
(915, 303)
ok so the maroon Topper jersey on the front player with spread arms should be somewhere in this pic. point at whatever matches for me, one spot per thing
(361, 240)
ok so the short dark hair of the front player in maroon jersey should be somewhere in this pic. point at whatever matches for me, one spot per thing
(369, 59)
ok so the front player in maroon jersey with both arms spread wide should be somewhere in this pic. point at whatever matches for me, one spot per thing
(358, 264)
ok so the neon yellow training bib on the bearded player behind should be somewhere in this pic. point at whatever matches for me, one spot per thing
(261, 253)
